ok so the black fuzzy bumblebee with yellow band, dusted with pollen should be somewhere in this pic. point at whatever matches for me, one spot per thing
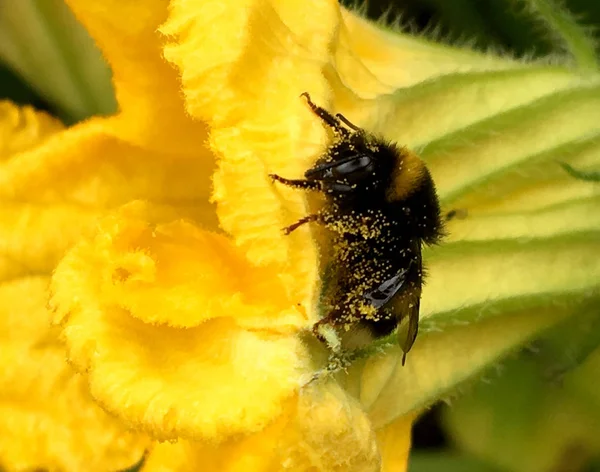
(380, 208)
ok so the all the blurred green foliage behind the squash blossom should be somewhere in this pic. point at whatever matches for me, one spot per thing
(47, 60)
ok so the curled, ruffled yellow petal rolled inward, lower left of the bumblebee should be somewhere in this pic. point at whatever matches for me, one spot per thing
(210, 381)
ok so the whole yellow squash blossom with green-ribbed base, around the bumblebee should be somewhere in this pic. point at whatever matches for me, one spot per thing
(185, 310)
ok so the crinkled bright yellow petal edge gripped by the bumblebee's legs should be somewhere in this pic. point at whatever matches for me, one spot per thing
(247, 87)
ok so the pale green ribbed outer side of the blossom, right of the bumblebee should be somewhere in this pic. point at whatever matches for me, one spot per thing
(492, 140)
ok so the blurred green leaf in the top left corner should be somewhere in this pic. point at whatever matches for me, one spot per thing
(43, 43)
